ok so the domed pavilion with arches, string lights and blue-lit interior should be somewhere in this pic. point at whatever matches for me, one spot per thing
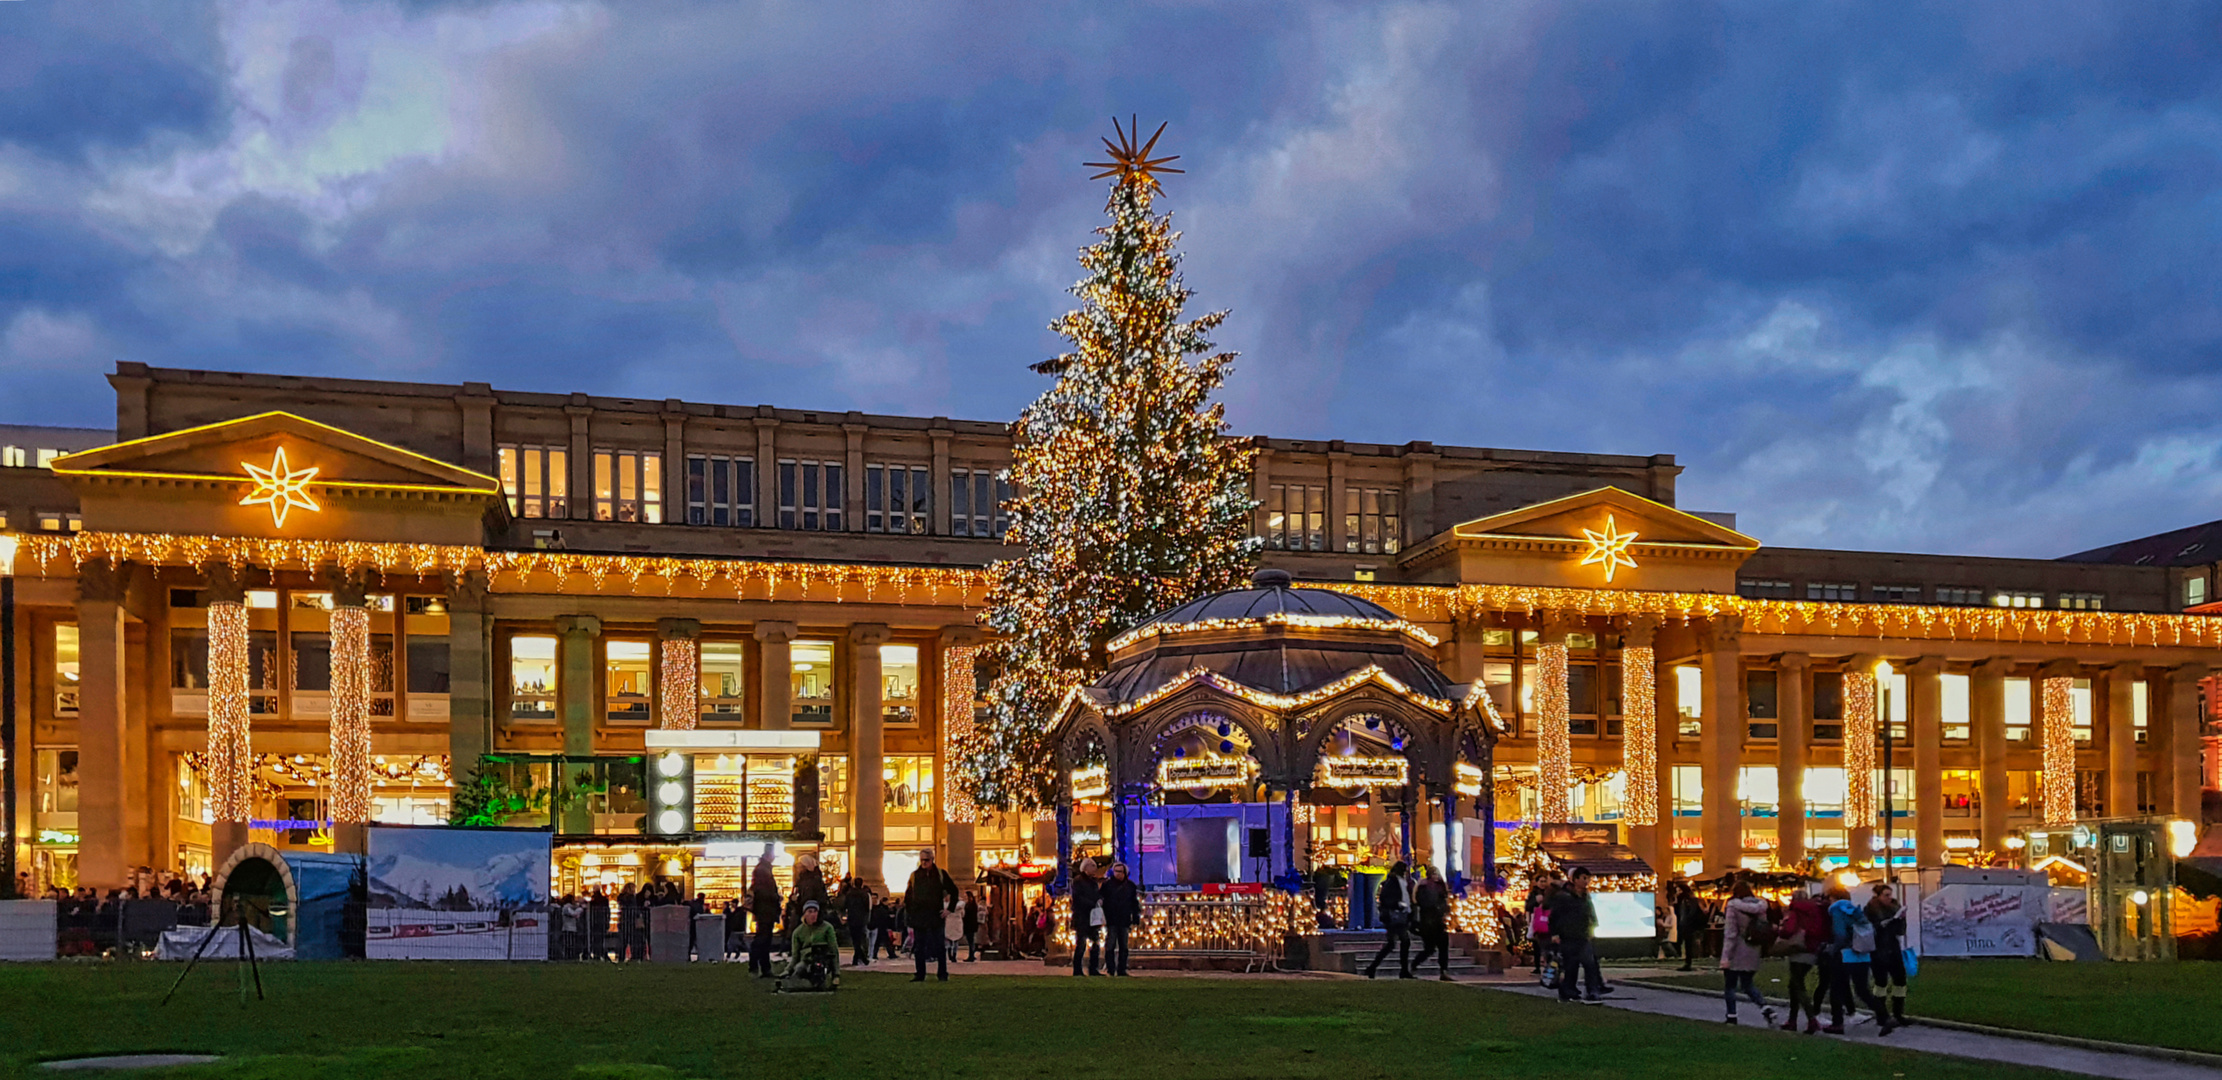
(1232, 728)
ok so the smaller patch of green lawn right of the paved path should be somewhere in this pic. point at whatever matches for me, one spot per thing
(2159, 1006)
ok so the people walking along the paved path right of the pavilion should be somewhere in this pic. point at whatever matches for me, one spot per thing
(1841, 954)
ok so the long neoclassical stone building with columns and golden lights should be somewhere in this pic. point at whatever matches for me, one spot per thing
(281, 608)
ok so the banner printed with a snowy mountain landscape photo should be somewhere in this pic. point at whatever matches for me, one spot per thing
(459, 894)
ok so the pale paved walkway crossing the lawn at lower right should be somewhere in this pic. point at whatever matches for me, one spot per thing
(1916, 1039)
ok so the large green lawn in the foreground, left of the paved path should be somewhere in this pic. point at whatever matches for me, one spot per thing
(559, 1021)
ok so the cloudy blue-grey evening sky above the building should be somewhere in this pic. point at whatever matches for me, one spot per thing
(1890, 277)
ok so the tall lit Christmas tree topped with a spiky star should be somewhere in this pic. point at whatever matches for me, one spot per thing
(1130, 497)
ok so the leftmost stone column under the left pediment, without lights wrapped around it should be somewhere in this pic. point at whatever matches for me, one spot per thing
(101, 726)
